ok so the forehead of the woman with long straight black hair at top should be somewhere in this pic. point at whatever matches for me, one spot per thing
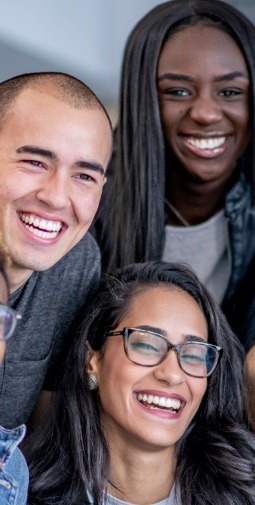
(204, 44)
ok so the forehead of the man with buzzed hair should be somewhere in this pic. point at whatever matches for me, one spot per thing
(41, 117)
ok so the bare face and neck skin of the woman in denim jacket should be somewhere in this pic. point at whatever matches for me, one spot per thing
(203, 92)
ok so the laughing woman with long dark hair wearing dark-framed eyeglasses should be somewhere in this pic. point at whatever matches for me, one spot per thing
(151, 408)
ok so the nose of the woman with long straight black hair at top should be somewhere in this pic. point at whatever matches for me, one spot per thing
(206, 110)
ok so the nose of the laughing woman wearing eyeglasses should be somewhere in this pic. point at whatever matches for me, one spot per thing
(169, 370)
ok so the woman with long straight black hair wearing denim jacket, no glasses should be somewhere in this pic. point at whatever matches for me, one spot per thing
(181, 181)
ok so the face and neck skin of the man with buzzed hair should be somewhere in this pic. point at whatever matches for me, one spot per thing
(53, 159)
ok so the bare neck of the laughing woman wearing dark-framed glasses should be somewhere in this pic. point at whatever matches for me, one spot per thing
(132, 469)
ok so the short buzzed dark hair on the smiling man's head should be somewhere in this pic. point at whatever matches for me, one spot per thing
(62, 86)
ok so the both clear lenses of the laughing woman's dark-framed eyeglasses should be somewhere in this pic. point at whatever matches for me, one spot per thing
(148, 349)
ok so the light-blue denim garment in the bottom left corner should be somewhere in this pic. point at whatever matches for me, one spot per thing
(13, 468)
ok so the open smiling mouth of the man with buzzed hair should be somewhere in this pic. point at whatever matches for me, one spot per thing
(42, 228)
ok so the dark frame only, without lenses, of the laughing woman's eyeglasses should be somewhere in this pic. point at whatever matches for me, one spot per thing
(126, 332)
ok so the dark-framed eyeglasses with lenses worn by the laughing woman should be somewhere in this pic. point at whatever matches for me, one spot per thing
(146, 348)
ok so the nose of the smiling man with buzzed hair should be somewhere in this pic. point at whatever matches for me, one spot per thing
(54, 190)
